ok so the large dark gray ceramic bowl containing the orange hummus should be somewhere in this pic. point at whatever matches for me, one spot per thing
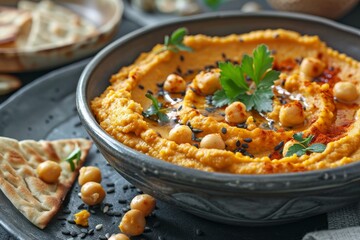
(234, 199)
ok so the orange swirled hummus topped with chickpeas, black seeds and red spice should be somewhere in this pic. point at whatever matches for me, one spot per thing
(316, 94)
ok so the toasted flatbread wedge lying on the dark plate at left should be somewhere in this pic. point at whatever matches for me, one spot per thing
(36, 200)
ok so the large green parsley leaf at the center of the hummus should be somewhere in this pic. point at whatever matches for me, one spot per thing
(258, 95)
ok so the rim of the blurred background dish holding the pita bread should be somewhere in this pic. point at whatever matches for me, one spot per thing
(101, 30)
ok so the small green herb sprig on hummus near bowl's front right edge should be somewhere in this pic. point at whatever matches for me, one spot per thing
(303, 146)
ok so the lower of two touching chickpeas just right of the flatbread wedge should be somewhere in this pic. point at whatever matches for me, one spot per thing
(92, 193)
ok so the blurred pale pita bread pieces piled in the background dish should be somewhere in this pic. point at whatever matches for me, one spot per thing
(42, 25)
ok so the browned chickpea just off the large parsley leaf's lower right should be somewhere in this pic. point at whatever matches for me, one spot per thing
(292, 114)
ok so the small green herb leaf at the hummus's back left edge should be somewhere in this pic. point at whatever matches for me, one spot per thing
(175, 43)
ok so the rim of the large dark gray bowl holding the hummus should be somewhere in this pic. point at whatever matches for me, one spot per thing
(259, 183)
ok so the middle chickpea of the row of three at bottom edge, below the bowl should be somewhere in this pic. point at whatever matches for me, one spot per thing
(133, 223)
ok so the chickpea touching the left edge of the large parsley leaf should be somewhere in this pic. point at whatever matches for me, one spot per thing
(208, 82)
